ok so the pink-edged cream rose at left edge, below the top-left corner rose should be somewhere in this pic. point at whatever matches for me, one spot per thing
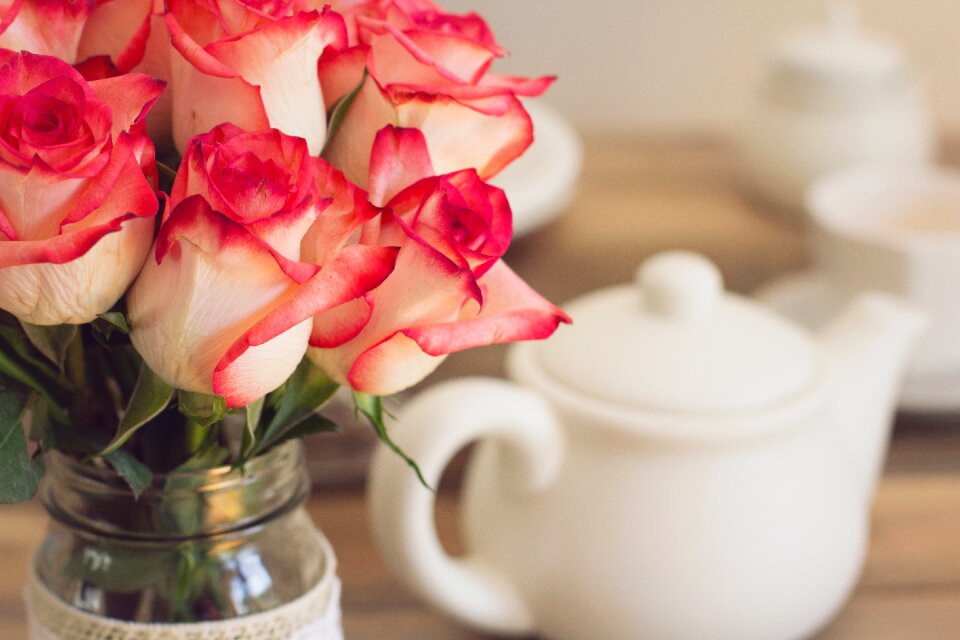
(76, 209)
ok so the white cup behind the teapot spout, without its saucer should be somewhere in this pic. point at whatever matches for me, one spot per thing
(897, 229)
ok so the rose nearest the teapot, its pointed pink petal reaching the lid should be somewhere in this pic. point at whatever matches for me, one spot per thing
(449, 291)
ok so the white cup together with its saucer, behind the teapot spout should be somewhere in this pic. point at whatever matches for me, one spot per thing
(894, 229)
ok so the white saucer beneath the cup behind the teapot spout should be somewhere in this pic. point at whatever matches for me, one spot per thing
(809, 299)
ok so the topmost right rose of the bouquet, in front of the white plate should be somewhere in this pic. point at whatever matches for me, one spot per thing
(429, 70)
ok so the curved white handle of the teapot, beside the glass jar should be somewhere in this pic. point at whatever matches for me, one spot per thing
(432, 428)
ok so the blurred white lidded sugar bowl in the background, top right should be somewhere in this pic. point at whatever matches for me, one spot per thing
(832, 98)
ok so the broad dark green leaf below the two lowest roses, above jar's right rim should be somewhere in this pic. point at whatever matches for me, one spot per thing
(305, 392)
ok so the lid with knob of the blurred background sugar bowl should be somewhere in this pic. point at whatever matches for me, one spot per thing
(842, 55)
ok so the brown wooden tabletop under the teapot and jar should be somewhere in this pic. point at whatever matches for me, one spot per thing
(638, 197)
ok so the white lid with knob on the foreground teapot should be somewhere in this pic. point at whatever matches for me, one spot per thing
(676, 342)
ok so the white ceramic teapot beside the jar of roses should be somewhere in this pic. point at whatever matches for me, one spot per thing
(678, 464)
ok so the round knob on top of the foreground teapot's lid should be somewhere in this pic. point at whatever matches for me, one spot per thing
(680, 285)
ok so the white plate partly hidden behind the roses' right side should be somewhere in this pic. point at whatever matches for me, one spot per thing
(542, 182)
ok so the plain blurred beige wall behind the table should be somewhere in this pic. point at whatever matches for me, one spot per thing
(690, 66)
